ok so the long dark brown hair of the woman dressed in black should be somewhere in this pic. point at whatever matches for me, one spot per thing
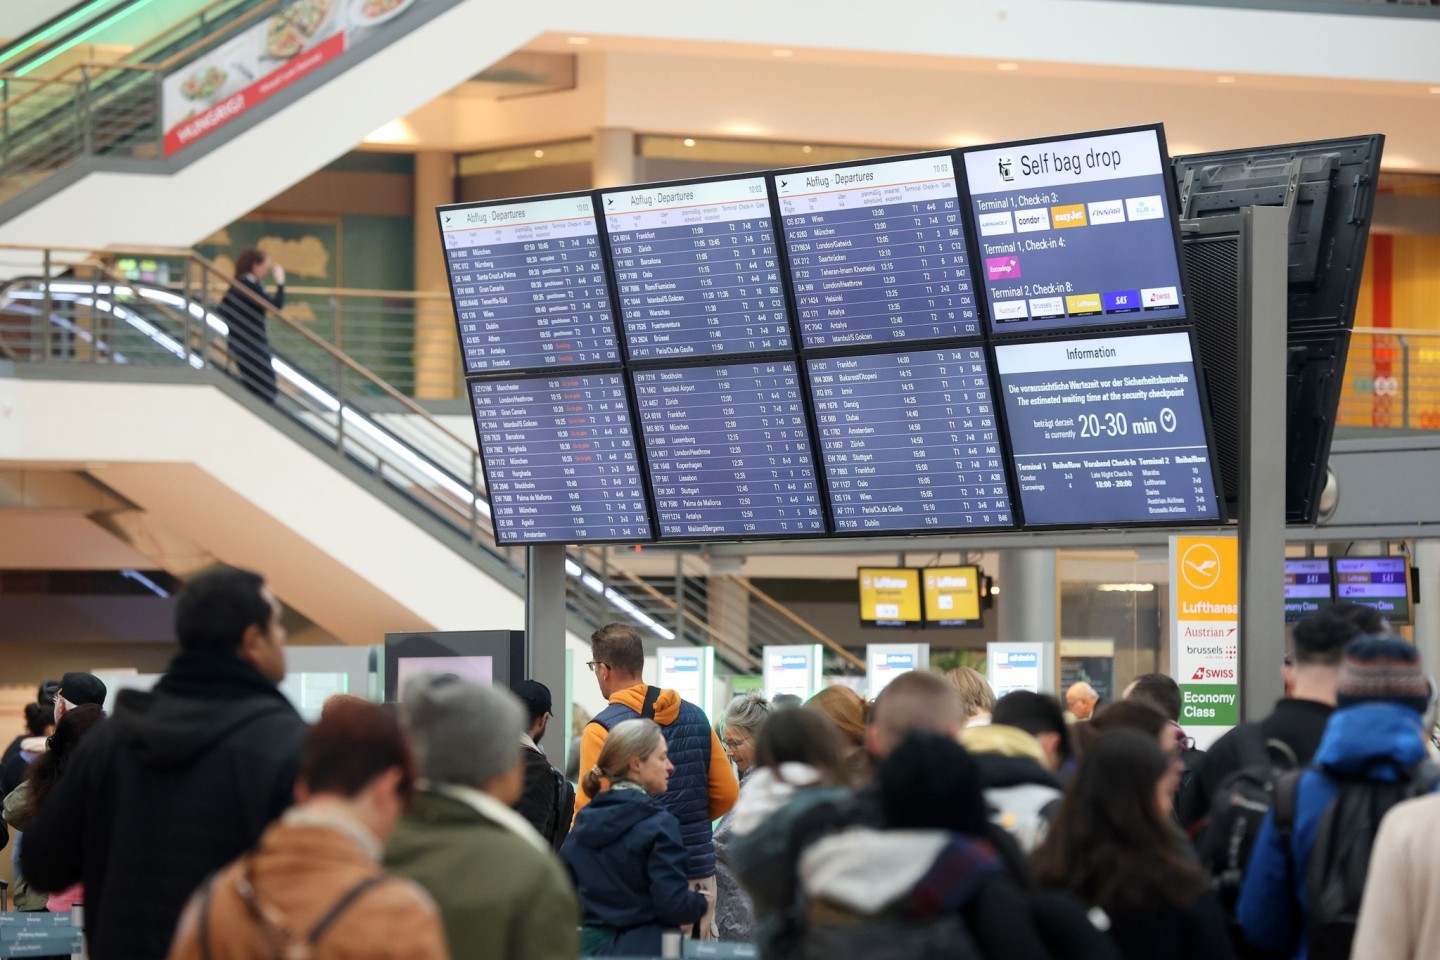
(1111, 844)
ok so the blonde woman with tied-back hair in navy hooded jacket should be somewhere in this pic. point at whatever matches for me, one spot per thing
(626, 851)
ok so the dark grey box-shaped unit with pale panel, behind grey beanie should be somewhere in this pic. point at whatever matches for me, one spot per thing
(485, 657)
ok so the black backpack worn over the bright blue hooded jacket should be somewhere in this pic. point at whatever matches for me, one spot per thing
(1340, 860)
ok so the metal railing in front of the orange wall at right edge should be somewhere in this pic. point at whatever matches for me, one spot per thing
(1392, 381)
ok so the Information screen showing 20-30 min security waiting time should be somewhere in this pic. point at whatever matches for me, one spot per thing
(1108, 431)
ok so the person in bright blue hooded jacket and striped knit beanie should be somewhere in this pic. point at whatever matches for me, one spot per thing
(1377, 733)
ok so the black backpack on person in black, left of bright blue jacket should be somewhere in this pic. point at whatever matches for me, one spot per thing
(1238, 812)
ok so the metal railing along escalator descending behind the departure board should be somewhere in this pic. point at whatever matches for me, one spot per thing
(76, 310)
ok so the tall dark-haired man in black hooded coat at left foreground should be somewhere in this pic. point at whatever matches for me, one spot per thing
(182, 781)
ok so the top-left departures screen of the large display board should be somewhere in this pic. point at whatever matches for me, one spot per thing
(529, 286)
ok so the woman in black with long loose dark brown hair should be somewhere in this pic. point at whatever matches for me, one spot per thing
(1114, 846)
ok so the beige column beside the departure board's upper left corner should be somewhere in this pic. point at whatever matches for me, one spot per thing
(437, 348)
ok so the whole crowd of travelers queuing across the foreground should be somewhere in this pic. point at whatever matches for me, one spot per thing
(205, 820)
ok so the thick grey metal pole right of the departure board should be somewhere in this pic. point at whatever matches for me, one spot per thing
(1264, 248)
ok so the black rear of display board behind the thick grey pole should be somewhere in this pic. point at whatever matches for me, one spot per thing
(1330, 189)
